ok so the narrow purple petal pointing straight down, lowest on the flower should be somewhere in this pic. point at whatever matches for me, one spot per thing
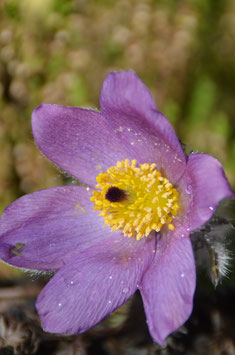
(168, 285)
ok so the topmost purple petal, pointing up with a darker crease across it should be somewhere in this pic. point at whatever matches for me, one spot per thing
(129, 108)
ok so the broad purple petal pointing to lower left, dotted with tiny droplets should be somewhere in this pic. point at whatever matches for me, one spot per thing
(93, 284)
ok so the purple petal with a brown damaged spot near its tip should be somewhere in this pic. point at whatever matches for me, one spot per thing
(42, 229)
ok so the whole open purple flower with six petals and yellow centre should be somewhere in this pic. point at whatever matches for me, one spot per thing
(129, 228)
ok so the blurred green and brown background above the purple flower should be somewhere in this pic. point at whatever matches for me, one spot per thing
(59, 51)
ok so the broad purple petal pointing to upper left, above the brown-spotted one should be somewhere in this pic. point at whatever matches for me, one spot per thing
(79, 141)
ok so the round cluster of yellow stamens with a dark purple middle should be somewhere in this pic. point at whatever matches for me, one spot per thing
(134, 199)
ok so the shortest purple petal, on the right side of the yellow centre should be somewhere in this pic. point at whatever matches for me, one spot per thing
(202, 187)
